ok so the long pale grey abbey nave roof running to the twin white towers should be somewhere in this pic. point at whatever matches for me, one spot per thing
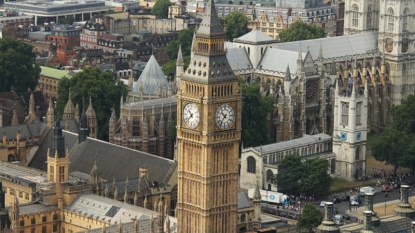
(336, 46)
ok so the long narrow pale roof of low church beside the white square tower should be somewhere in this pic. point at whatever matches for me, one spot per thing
(306, 139)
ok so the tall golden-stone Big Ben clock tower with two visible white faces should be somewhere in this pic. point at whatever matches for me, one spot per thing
(209, 130)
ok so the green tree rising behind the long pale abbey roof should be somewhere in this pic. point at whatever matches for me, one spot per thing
(300, 30)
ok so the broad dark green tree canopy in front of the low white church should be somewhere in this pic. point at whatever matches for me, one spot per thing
(309, 178)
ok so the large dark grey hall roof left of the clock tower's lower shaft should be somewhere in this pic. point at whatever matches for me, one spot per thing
(113, 161)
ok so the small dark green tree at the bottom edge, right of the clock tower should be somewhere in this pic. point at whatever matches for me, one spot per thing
(310, 218)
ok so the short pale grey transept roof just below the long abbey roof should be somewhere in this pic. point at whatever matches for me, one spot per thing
(278, 59)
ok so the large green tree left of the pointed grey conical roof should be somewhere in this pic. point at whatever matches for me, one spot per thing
(100, 86)
